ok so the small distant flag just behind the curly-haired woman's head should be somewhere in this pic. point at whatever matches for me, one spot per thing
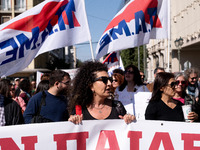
(113, 61)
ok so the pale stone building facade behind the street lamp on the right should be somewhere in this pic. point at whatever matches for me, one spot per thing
(184, 27)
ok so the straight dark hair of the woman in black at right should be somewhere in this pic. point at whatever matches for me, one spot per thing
(161, 80)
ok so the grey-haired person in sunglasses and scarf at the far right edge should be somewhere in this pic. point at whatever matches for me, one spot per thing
(192, 88)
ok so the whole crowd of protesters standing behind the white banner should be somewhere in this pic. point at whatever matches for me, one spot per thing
(94, 95)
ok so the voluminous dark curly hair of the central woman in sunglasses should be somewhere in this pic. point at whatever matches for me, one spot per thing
(81, 94)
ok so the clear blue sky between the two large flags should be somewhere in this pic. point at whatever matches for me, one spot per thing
(99, 14)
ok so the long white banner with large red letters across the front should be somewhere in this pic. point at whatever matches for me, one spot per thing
(102, 134)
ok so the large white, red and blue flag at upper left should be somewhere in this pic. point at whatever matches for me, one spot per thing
(50, 25)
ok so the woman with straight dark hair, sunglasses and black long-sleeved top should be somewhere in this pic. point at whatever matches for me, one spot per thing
(162, 106)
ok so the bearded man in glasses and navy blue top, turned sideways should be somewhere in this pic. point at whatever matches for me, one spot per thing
(55, 108)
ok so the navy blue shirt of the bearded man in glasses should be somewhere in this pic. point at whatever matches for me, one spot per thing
(55, 108)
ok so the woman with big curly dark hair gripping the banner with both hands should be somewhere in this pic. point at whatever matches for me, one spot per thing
(90, 92)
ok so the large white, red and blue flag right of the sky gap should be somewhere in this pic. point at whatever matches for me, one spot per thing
(134, 25)
